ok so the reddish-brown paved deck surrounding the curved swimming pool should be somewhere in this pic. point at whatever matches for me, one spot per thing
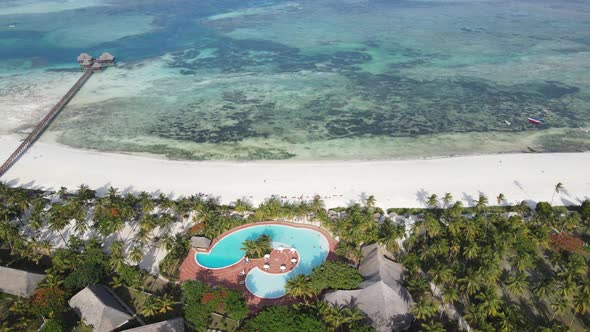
(231, 276)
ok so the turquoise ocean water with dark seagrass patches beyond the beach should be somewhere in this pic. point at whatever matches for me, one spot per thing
(322, 79)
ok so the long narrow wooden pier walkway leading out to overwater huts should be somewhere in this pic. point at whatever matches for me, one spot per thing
(44, 124)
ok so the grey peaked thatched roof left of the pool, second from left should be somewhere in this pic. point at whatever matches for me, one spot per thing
(98, 307)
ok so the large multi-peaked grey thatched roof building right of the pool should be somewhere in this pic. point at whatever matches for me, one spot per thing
(381, 295)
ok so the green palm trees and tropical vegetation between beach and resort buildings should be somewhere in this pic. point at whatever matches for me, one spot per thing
(507, 268)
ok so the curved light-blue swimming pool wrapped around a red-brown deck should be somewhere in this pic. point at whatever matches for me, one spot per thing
(312, 247)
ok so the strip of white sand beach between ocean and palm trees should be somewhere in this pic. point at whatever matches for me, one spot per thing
(398, 183)
